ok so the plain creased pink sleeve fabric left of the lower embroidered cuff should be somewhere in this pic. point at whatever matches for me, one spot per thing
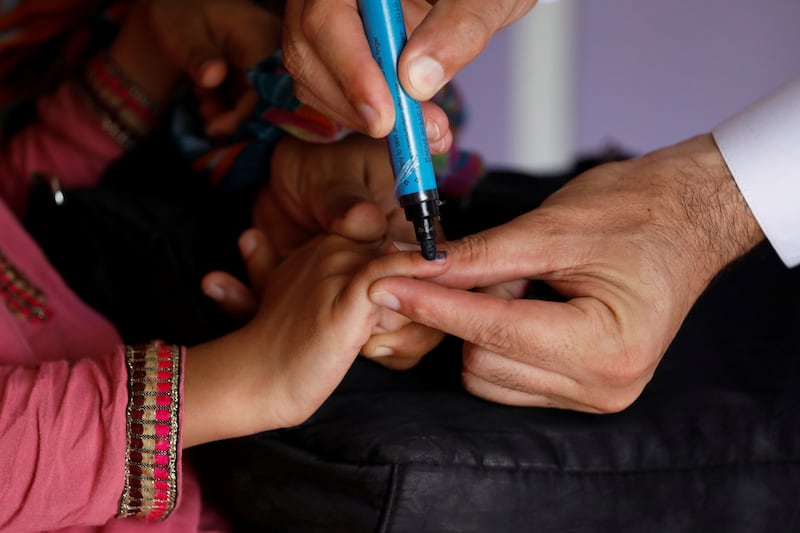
(63, 440)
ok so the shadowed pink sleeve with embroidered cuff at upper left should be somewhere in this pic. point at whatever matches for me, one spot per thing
(82, 127)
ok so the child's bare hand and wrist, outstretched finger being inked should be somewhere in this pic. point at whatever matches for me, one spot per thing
(313, 320)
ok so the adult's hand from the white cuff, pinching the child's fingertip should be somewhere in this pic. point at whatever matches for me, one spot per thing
(630, 246)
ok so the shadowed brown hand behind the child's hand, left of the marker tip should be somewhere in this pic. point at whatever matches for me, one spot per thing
(344, 188)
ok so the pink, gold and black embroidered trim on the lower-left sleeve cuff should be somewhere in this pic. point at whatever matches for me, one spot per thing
(151, 466)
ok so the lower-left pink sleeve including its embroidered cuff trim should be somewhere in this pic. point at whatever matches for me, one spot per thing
(86, 441)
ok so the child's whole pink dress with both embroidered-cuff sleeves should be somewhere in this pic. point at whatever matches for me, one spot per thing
(89, 429)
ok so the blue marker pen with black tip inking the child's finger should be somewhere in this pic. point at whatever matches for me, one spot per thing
(415, 182)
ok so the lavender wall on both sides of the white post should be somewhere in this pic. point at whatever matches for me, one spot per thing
(650, 72)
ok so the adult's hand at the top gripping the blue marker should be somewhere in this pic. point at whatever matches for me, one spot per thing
(326, 52)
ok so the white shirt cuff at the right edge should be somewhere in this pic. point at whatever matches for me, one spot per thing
(760, 146)
